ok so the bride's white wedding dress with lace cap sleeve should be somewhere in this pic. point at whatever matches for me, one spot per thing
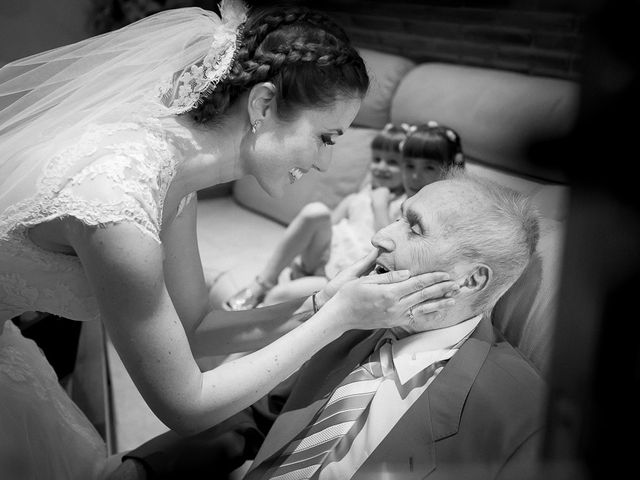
(113, 173)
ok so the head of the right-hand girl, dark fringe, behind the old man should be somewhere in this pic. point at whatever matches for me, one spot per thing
(427, 153)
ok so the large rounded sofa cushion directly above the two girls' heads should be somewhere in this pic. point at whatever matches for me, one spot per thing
(496, 113)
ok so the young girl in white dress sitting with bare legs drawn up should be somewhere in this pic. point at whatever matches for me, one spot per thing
(321, 242)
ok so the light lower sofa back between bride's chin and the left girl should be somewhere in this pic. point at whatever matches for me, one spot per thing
(349, 166)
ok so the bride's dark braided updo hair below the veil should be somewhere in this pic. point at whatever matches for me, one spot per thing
(303, 53)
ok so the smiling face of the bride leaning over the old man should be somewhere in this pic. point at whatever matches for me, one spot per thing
(283, 151)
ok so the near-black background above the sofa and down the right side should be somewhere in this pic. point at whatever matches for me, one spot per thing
(593, 407)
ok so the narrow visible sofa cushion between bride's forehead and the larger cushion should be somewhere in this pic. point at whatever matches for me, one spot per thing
(385, 72)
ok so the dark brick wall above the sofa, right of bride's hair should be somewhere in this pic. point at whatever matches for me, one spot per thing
(538, 37)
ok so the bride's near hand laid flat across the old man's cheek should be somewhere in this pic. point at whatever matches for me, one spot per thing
(392, 299)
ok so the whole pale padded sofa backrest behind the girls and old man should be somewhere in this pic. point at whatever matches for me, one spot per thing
(497, 114)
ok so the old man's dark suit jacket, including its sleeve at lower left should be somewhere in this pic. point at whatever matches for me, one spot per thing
(481, 418)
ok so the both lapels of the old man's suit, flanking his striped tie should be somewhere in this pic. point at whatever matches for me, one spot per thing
(408, 451)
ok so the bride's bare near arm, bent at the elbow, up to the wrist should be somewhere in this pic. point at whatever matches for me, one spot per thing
(124, 267)
